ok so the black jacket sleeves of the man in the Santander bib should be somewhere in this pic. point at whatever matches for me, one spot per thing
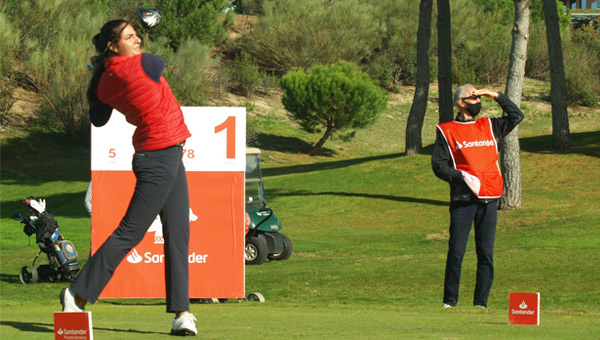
(441, 160)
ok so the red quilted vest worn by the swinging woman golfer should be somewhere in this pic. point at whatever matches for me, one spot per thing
(148, 105)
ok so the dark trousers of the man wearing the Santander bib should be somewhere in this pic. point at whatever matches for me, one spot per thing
(462, 215)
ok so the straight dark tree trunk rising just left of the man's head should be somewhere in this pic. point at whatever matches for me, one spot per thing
(446, 105)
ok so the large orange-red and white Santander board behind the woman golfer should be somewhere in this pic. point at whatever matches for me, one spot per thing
(215, 162)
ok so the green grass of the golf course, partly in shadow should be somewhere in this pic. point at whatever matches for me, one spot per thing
(369, 228)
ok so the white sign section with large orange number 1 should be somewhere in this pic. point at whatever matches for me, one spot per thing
(219, 140)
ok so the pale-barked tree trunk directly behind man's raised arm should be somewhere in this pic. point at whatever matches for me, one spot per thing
(510, 159)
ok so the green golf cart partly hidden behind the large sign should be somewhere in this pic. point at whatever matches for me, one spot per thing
(263, 239)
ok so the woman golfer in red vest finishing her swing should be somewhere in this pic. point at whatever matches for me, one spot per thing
(130, 81)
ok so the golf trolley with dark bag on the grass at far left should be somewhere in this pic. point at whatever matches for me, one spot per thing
(62, 256)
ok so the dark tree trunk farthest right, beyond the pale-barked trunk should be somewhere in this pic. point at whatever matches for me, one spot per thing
(561, 138)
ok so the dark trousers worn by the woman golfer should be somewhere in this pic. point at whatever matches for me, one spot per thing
(161, 189)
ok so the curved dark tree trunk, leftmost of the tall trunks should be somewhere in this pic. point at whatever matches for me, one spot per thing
(414, 126)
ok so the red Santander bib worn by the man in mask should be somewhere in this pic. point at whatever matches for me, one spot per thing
(474, 151)
